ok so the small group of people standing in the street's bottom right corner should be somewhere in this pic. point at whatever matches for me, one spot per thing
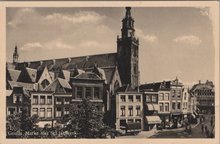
(208, 131)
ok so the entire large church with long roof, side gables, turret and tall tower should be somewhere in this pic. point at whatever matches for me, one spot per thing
(116, 69)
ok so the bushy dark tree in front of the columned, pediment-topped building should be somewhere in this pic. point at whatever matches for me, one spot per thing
(86, 120)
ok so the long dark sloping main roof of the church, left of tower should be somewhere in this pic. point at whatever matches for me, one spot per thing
(82, 62)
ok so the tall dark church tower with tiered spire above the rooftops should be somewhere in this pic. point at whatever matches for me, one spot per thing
(127, 51)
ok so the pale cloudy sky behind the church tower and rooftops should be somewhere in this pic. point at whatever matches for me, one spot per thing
(173, 41)
